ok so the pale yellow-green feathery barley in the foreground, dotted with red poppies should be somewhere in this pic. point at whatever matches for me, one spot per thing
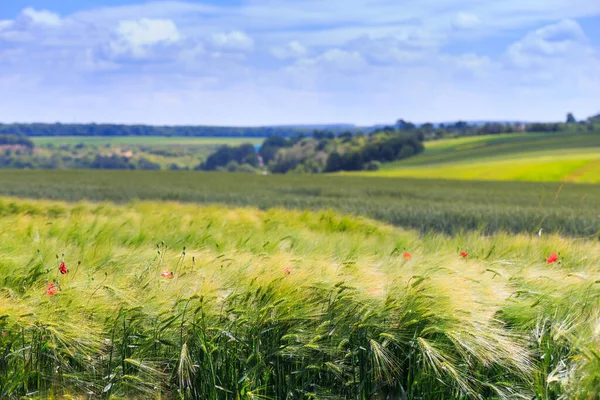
(352, 318)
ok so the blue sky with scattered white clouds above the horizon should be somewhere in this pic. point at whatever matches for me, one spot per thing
(271, 62)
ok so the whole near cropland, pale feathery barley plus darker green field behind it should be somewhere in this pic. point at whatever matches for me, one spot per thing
(191, 285)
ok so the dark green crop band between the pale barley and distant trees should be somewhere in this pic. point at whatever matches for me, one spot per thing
(425, 205)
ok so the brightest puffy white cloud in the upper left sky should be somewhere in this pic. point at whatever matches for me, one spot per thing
(137, 36)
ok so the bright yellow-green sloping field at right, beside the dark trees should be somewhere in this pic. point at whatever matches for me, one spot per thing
(524, 157)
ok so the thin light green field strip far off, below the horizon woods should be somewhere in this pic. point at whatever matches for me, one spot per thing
(143, 140)
